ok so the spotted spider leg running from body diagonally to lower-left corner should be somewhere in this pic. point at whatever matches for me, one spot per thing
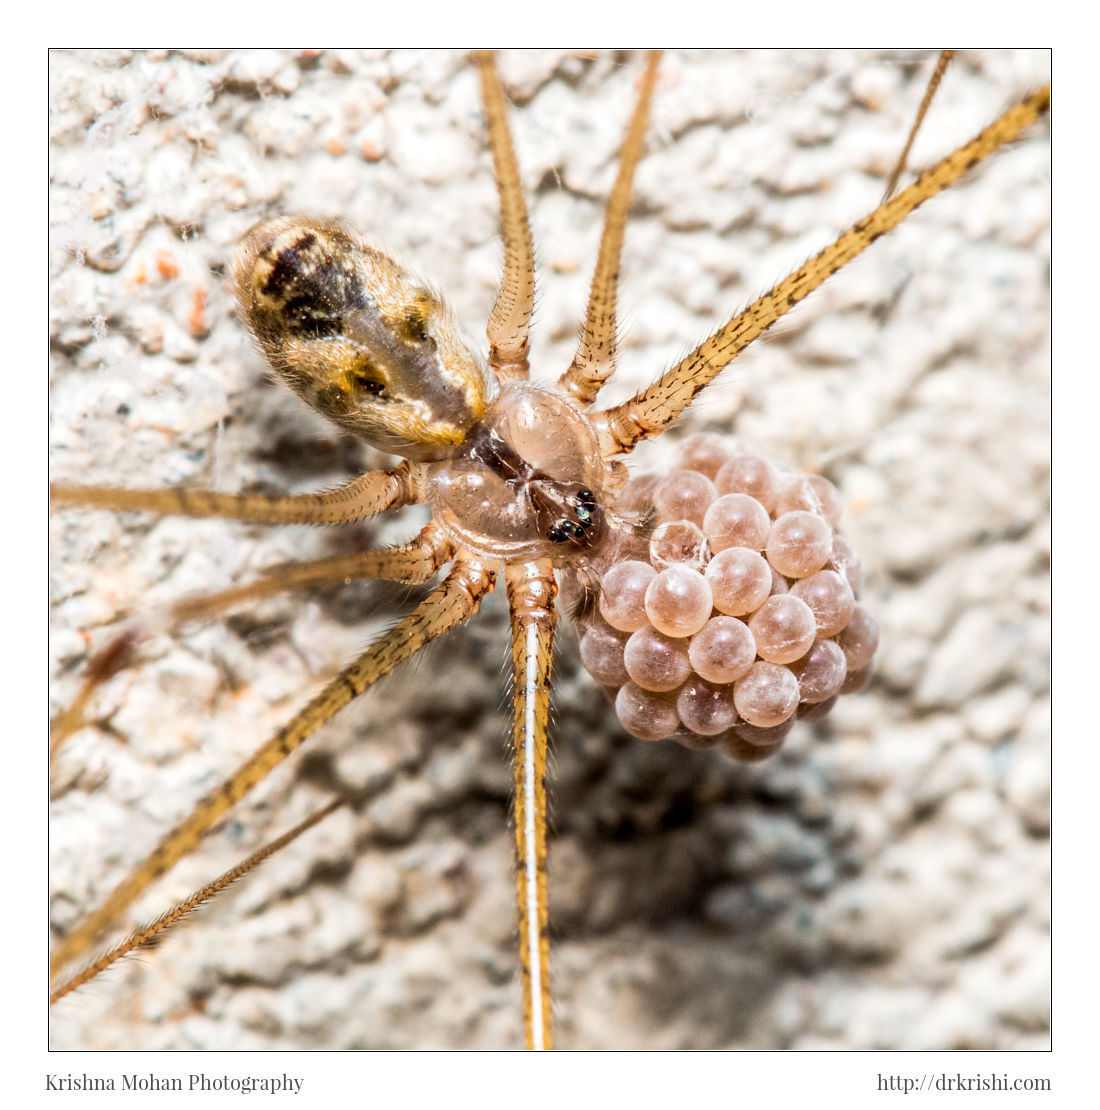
(451, 603)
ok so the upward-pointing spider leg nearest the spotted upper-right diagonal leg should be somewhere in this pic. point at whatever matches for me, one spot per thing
(596, 359)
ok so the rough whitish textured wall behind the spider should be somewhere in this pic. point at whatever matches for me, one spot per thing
(647, 950)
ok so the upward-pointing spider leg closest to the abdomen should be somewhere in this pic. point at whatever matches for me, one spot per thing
(511, 317)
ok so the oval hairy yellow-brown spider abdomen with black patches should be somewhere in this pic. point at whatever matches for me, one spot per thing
(359, 338)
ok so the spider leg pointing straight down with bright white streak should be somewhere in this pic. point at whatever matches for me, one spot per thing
(531, 600)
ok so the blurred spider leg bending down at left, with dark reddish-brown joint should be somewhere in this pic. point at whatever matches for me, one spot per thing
(412, 563)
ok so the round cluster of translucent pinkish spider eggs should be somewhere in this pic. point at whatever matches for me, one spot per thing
(743, 613)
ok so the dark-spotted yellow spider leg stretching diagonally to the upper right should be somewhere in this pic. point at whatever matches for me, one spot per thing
(651, 411)
